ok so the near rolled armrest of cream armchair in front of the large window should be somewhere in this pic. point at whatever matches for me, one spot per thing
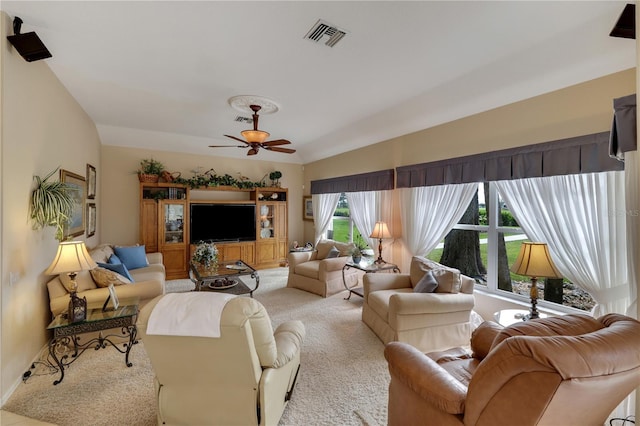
(429, 303)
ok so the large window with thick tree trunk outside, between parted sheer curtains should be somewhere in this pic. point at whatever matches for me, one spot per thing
(485, 243)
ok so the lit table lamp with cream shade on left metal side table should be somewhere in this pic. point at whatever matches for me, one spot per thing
(72, 257)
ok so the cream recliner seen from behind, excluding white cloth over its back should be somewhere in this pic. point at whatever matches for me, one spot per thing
(244, 377)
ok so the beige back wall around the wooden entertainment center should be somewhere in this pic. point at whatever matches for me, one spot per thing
(120, 187)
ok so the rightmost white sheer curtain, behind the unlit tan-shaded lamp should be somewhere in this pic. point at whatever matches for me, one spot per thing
(581, 218)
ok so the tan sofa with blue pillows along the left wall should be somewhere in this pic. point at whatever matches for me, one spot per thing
(134, 273)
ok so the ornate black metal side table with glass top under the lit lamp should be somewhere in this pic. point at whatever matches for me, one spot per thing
(65, 346)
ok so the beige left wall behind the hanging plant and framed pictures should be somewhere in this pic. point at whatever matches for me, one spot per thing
(43, 127)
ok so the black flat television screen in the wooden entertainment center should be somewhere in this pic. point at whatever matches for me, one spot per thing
(222, 222)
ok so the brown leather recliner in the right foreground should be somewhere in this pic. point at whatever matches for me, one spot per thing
(567, 370)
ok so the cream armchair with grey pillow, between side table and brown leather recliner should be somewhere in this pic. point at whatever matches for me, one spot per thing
(429, 308)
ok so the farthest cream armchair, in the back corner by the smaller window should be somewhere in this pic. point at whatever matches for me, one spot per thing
(320, 271)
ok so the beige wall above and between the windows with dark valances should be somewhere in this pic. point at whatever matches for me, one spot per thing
(577, 110)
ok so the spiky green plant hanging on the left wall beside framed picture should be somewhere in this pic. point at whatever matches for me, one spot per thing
(51, 204)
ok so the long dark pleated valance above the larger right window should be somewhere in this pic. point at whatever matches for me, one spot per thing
(582, 154)
